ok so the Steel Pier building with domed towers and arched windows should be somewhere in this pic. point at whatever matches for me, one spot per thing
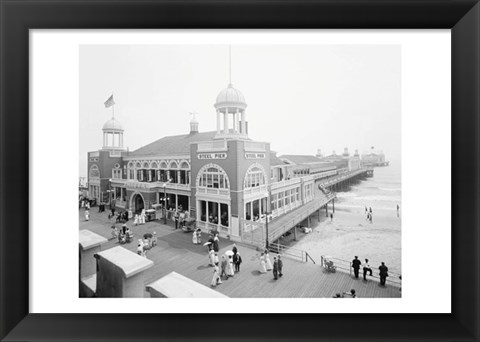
(223, 179)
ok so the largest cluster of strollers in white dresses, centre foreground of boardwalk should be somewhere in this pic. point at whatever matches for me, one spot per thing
(229, 265)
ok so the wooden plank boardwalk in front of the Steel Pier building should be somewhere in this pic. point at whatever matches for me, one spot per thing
(176, 252)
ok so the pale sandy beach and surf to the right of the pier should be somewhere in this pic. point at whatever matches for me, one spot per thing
(350, 233)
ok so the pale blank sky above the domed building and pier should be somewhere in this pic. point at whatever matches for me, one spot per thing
(300, 98)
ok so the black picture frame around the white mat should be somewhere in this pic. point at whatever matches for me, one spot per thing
(17, 17)
